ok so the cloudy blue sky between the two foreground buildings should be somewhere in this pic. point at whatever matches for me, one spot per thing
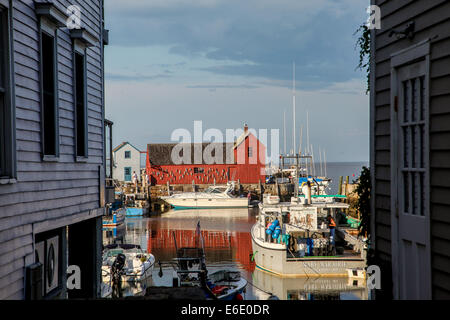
(229, 62)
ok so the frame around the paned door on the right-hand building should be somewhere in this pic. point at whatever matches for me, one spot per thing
(420, 51)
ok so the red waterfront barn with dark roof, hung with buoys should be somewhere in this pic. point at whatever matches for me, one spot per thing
(243, 160)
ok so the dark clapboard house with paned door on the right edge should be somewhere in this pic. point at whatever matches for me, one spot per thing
(410, 148)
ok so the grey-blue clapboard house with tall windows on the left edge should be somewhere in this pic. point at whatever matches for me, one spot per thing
(52, 155)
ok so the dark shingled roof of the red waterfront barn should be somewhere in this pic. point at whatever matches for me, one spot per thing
(160, 154)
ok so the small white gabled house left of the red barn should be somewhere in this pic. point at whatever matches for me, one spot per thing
(127, 159)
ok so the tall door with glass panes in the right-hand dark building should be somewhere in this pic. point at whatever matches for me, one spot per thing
(411, 227)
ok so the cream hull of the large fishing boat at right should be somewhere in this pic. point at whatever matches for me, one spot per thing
(272, 258)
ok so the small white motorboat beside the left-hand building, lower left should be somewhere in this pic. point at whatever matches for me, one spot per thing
(137, 266)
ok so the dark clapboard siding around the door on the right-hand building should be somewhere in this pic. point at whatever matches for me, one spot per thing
(432, 21)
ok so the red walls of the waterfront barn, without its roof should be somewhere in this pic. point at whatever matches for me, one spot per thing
(247, 168)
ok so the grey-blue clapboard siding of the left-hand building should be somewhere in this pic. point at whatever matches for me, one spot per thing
(47, 191)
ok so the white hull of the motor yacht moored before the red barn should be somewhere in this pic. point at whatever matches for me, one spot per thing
(183, 203)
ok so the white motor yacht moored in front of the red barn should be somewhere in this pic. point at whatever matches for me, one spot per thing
(212, 197)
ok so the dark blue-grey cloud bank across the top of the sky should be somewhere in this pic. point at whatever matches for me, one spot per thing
(264, 36)
